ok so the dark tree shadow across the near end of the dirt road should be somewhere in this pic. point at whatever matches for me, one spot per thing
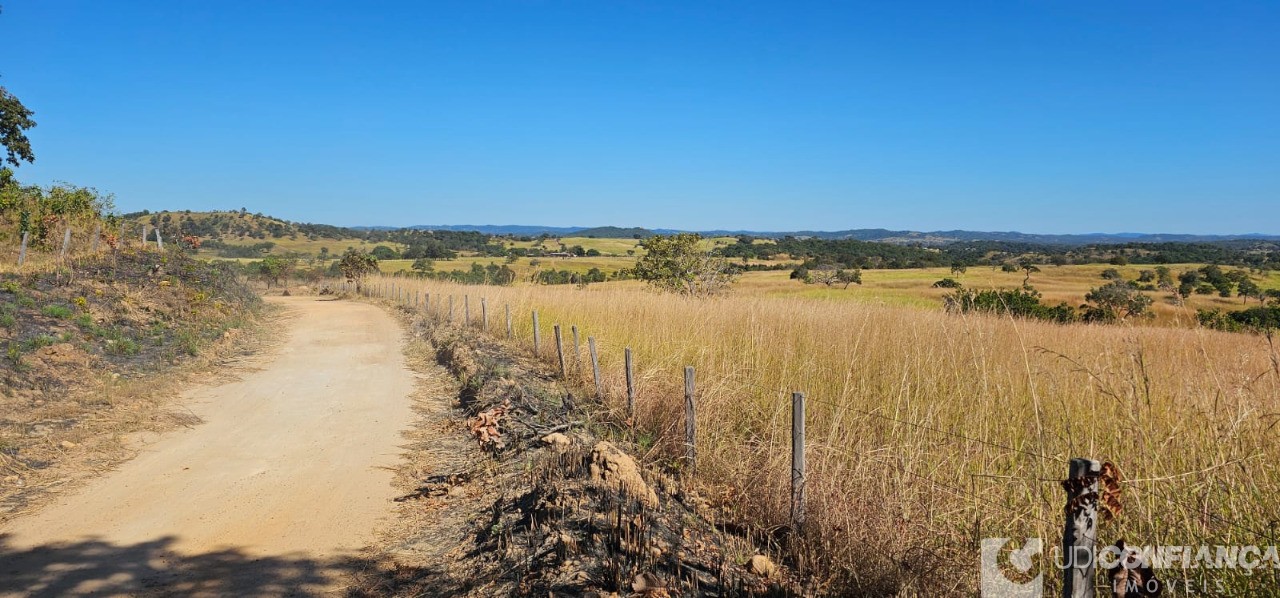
(99, 568)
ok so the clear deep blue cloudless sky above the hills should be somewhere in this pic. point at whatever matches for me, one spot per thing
(1034, 116)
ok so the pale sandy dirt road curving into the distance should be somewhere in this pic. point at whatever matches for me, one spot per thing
(273, 495)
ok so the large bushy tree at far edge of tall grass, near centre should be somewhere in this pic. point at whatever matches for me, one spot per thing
(678, 264)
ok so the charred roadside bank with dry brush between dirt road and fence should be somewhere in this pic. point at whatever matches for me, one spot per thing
(554, 505)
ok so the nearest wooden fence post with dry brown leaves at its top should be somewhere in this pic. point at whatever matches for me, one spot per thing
(1081, 532)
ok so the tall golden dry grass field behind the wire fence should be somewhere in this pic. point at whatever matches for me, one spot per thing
(927, 431)
